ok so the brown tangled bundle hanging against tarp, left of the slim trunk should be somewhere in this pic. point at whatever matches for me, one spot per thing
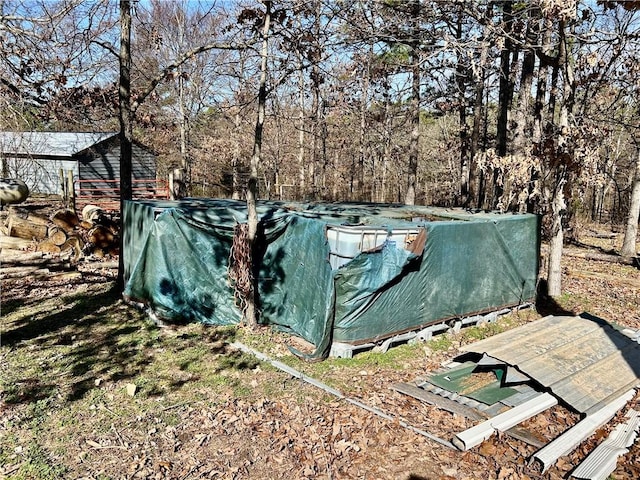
(240, 270)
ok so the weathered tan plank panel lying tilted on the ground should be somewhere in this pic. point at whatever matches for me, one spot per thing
(582, 360)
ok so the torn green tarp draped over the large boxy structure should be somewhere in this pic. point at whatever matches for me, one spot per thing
(177, 253)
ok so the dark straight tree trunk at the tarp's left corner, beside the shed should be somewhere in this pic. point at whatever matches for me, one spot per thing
(125, 116)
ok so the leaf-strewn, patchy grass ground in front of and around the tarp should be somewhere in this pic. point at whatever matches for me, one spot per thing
(92, 389)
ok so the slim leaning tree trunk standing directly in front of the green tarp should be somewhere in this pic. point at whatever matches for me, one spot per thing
(250, 314)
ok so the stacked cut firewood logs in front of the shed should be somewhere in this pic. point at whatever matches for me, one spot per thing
(94, 233)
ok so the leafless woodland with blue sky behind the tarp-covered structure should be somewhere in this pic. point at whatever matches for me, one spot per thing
(517, 106)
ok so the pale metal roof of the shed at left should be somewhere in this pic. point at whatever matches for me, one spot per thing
(56, 144)
